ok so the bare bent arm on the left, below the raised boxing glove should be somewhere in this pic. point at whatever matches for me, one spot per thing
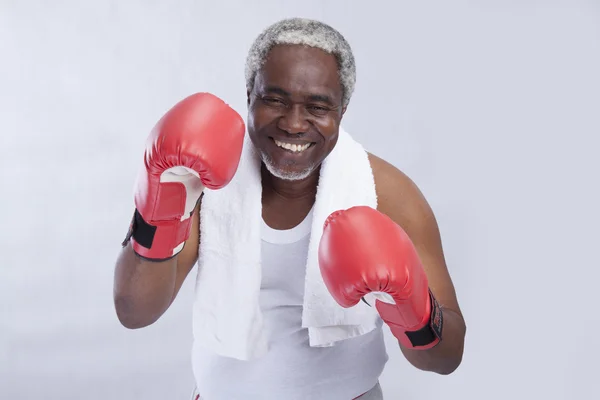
(144, 290)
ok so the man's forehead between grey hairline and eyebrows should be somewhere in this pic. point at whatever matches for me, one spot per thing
(300, 70)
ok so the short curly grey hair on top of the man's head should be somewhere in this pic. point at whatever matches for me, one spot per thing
(305, 32)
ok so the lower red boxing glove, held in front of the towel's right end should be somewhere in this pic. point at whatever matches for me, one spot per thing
(364, 251)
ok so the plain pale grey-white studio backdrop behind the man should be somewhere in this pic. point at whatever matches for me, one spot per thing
(492, 107)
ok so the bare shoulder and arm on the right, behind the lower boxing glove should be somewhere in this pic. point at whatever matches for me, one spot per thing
(403, 202)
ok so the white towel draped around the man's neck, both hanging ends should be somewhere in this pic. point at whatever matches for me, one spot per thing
(227, 315)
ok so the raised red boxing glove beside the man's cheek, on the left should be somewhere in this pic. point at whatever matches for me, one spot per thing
(196, 144)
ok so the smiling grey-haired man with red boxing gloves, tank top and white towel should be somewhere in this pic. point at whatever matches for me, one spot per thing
(261, 330)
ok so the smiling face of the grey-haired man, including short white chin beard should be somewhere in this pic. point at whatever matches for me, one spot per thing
(295, 109)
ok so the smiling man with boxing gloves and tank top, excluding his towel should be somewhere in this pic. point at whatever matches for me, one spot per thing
(300, 77)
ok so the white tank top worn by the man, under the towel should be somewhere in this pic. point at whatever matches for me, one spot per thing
(291, 369)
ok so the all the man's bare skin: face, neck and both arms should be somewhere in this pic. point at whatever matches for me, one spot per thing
(297, 96)
